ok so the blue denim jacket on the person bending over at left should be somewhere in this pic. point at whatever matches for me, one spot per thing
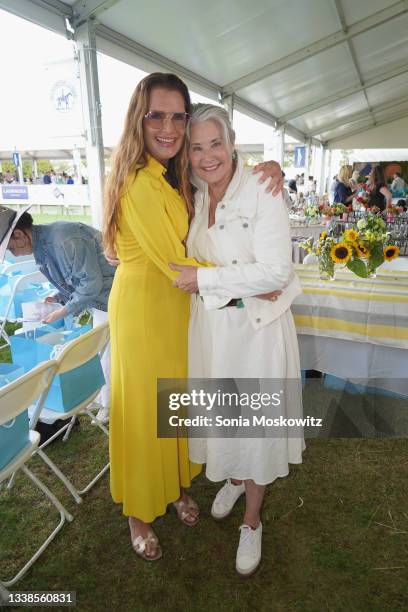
(71, 256)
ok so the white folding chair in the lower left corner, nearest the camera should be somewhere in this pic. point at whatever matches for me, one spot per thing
(14, 399)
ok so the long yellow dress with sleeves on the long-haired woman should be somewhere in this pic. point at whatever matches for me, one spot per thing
(149, 325)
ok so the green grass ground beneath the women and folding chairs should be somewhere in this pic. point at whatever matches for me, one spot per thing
(335, 537)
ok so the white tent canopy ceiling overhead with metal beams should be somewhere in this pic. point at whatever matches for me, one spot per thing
(324, 68)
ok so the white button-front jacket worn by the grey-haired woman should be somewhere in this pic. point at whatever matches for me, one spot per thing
(251, 238)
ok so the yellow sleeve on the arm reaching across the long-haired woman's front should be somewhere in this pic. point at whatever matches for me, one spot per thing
(144, 209)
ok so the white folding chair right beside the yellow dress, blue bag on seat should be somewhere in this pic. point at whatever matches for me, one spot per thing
(73, 355)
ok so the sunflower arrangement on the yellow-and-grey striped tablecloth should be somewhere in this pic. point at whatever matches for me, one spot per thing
(361, 250)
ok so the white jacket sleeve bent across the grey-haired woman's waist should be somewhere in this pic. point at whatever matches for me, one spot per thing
(272, 268)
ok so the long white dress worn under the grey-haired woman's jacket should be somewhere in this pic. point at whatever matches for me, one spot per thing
(224, 344)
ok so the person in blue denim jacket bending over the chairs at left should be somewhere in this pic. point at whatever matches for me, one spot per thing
(71, 257)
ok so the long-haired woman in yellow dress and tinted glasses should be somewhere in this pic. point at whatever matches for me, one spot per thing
(148, 203)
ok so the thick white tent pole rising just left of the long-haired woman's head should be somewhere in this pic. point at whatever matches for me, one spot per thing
(92, 117)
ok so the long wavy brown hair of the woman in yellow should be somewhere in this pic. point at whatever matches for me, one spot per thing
(131, 155)
